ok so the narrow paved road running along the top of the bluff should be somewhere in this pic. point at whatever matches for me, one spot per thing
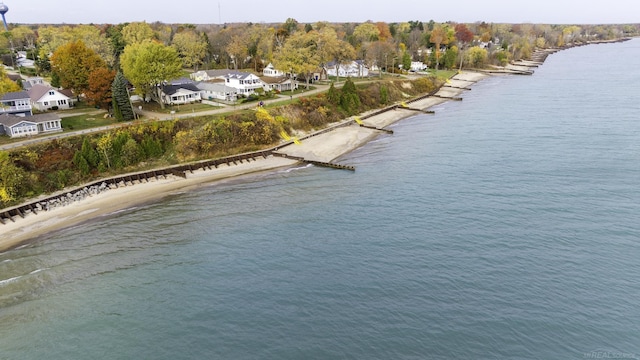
(155, 116)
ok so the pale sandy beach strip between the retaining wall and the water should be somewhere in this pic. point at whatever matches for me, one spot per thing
(324, 147)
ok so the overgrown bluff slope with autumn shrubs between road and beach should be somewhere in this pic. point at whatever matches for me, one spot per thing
(51, 166)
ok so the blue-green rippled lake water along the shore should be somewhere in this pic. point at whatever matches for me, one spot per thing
(503, 226)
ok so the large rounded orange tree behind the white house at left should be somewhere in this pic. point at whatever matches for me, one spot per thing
(72, 63)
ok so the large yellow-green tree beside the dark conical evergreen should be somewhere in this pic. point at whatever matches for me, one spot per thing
(149, 64)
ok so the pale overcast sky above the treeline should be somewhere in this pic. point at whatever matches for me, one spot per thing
(306, 11)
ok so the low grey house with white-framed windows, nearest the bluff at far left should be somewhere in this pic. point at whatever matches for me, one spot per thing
(19, 126)
